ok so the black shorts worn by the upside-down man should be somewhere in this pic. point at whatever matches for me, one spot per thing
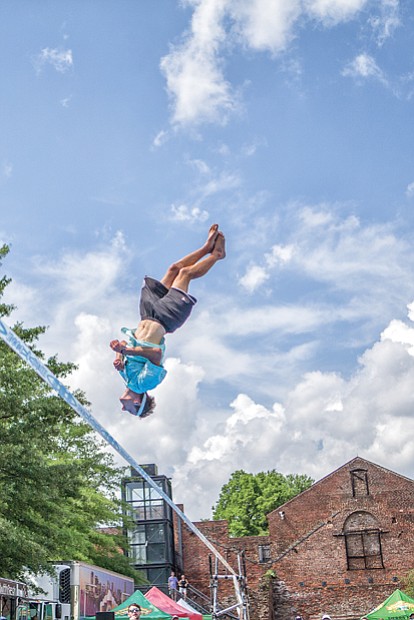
(169, 307)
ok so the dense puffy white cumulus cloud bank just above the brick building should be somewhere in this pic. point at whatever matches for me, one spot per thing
(324, 421)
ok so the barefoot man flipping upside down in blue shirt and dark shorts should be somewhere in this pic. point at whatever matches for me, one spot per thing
(164, 306)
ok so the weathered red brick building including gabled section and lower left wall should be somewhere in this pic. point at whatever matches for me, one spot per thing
(339, 547)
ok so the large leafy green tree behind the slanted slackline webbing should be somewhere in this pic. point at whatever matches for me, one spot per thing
(57, 483)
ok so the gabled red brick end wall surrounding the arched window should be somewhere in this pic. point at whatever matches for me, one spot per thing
(308, 545)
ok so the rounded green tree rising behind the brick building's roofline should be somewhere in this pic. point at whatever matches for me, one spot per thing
(246, 499)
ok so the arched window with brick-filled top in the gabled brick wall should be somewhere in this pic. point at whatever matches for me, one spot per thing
(363, 541)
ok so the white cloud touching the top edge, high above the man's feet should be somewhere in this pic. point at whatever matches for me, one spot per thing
(195, 68)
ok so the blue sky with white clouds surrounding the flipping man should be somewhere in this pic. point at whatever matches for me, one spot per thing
(128, 128)
